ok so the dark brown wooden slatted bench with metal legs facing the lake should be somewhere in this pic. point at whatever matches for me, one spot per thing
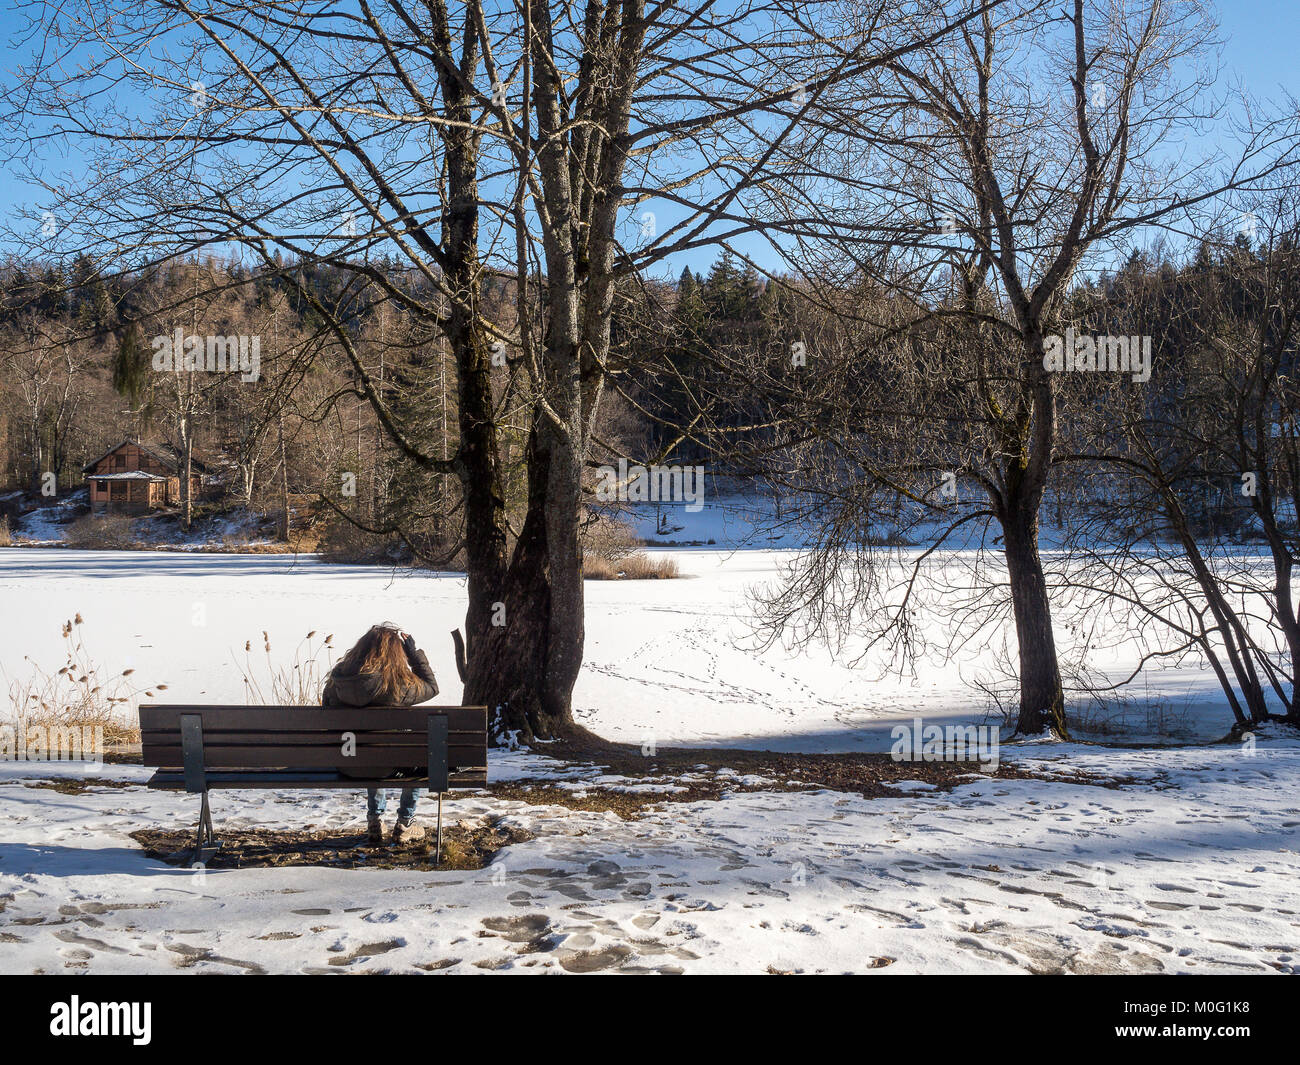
(201, 748)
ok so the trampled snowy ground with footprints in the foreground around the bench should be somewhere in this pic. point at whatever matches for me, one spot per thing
(1190, 869)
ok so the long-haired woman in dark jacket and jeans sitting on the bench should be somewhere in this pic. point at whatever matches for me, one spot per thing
(384, 669)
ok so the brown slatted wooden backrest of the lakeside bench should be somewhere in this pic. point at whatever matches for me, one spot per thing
(367, 738)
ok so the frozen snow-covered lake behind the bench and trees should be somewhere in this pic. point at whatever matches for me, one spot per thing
(671, 661)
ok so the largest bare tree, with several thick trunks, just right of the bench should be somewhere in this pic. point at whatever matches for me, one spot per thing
(471, 142)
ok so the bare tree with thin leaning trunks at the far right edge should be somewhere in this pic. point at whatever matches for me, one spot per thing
(1207, 466)
